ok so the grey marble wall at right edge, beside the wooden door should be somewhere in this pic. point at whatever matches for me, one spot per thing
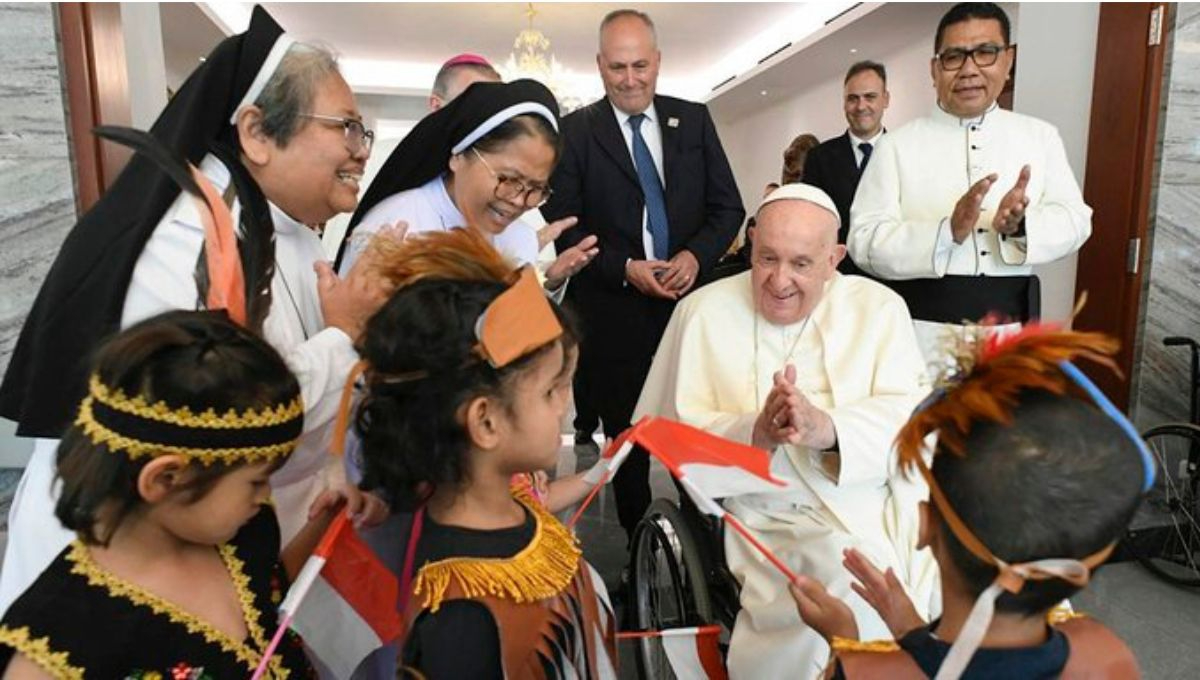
(1173, 302)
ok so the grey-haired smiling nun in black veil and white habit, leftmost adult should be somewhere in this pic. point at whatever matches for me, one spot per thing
(139, 252)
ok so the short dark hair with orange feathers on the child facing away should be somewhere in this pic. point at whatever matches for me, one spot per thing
(1031, 466)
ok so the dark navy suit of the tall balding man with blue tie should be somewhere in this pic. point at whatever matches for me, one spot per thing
(597, 183)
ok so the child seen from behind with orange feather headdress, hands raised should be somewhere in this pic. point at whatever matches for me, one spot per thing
(1035, 478)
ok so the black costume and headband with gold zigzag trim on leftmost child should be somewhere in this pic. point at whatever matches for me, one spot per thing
(80, 621)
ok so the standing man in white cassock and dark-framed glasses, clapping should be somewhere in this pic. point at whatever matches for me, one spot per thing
(957, 208)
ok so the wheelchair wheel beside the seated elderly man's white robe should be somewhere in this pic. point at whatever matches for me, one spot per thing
(668, 583)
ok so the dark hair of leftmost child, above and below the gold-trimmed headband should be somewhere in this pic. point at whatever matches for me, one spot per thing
(200, 360)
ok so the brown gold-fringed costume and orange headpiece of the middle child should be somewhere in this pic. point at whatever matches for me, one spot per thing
(523, 600)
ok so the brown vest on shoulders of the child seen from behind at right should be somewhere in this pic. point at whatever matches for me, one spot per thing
(1095, 654)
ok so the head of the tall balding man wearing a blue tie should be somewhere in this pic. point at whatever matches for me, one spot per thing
(629, 64)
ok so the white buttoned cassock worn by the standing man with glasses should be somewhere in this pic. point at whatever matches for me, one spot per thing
(901, 220)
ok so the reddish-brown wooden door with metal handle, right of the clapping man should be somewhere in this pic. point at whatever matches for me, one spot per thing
(1121, 148)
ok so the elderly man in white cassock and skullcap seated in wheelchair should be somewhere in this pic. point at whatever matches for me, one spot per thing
(821, 370)
